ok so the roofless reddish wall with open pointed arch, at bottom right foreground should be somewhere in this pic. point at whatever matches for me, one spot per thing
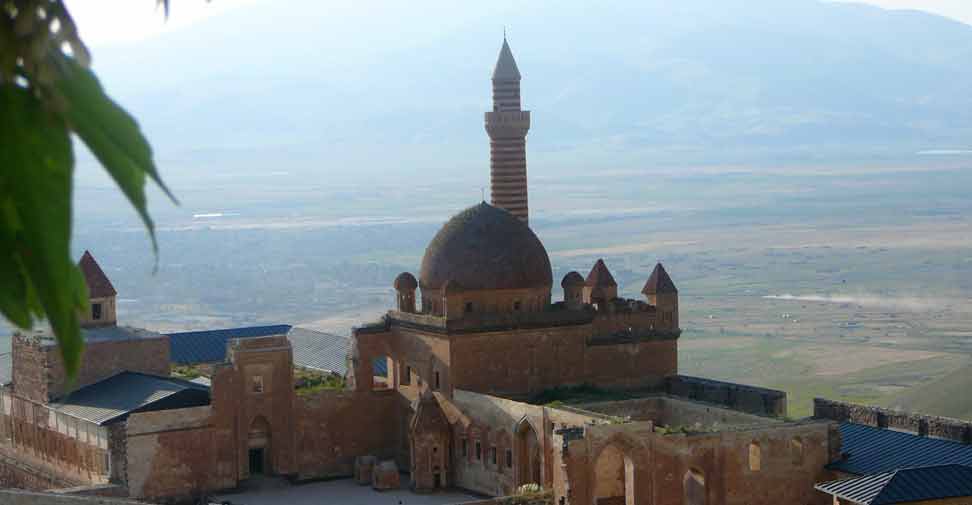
(709, 468)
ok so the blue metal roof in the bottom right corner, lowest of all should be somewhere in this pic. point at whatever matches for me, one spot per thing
(904, 485)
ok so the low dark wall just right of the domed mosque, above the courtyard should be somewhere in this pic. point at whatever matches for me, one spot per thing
(752, 399)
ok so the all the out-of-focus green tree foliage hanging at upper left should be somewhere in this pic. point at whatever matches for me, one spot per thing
(47, 93)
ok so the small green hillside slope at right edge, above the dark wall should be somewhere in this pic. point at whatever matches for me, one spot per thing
(948, 396)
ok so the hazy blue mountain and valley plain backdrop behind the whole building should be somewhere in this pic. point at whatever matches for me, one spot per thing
(801, 168)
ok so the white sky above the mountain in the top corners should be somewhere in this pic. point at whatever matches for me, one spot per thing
(105, 22)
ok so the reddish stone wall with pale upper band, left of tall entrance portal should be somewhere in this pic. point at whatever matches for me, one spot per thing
(177, 453)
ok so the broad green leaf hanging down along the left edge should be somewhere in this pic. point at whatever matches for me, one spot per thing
(35, 225)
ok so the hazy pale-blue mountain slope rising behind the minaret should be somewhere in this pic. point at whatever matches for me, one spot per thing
(398, 89)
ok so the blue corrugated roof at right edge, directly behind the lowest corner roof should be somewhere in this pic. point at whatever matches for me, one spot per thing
(869, 450)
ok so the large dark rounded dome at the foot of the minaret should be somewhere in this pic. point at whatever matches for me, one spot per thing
(484, 247)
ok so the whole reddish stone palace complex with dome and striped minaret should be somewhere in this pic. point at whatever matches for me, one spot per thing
(481, 377)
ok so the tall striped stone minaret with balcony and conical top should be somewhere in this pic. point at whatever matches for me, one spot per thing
(507, 126)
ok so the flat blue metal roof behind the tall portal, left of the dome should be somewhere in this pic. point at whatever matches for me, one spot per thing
(209, 346)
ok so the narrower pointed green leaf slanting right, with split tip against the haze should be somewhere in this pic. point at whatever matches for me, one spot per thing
(110, 133)
